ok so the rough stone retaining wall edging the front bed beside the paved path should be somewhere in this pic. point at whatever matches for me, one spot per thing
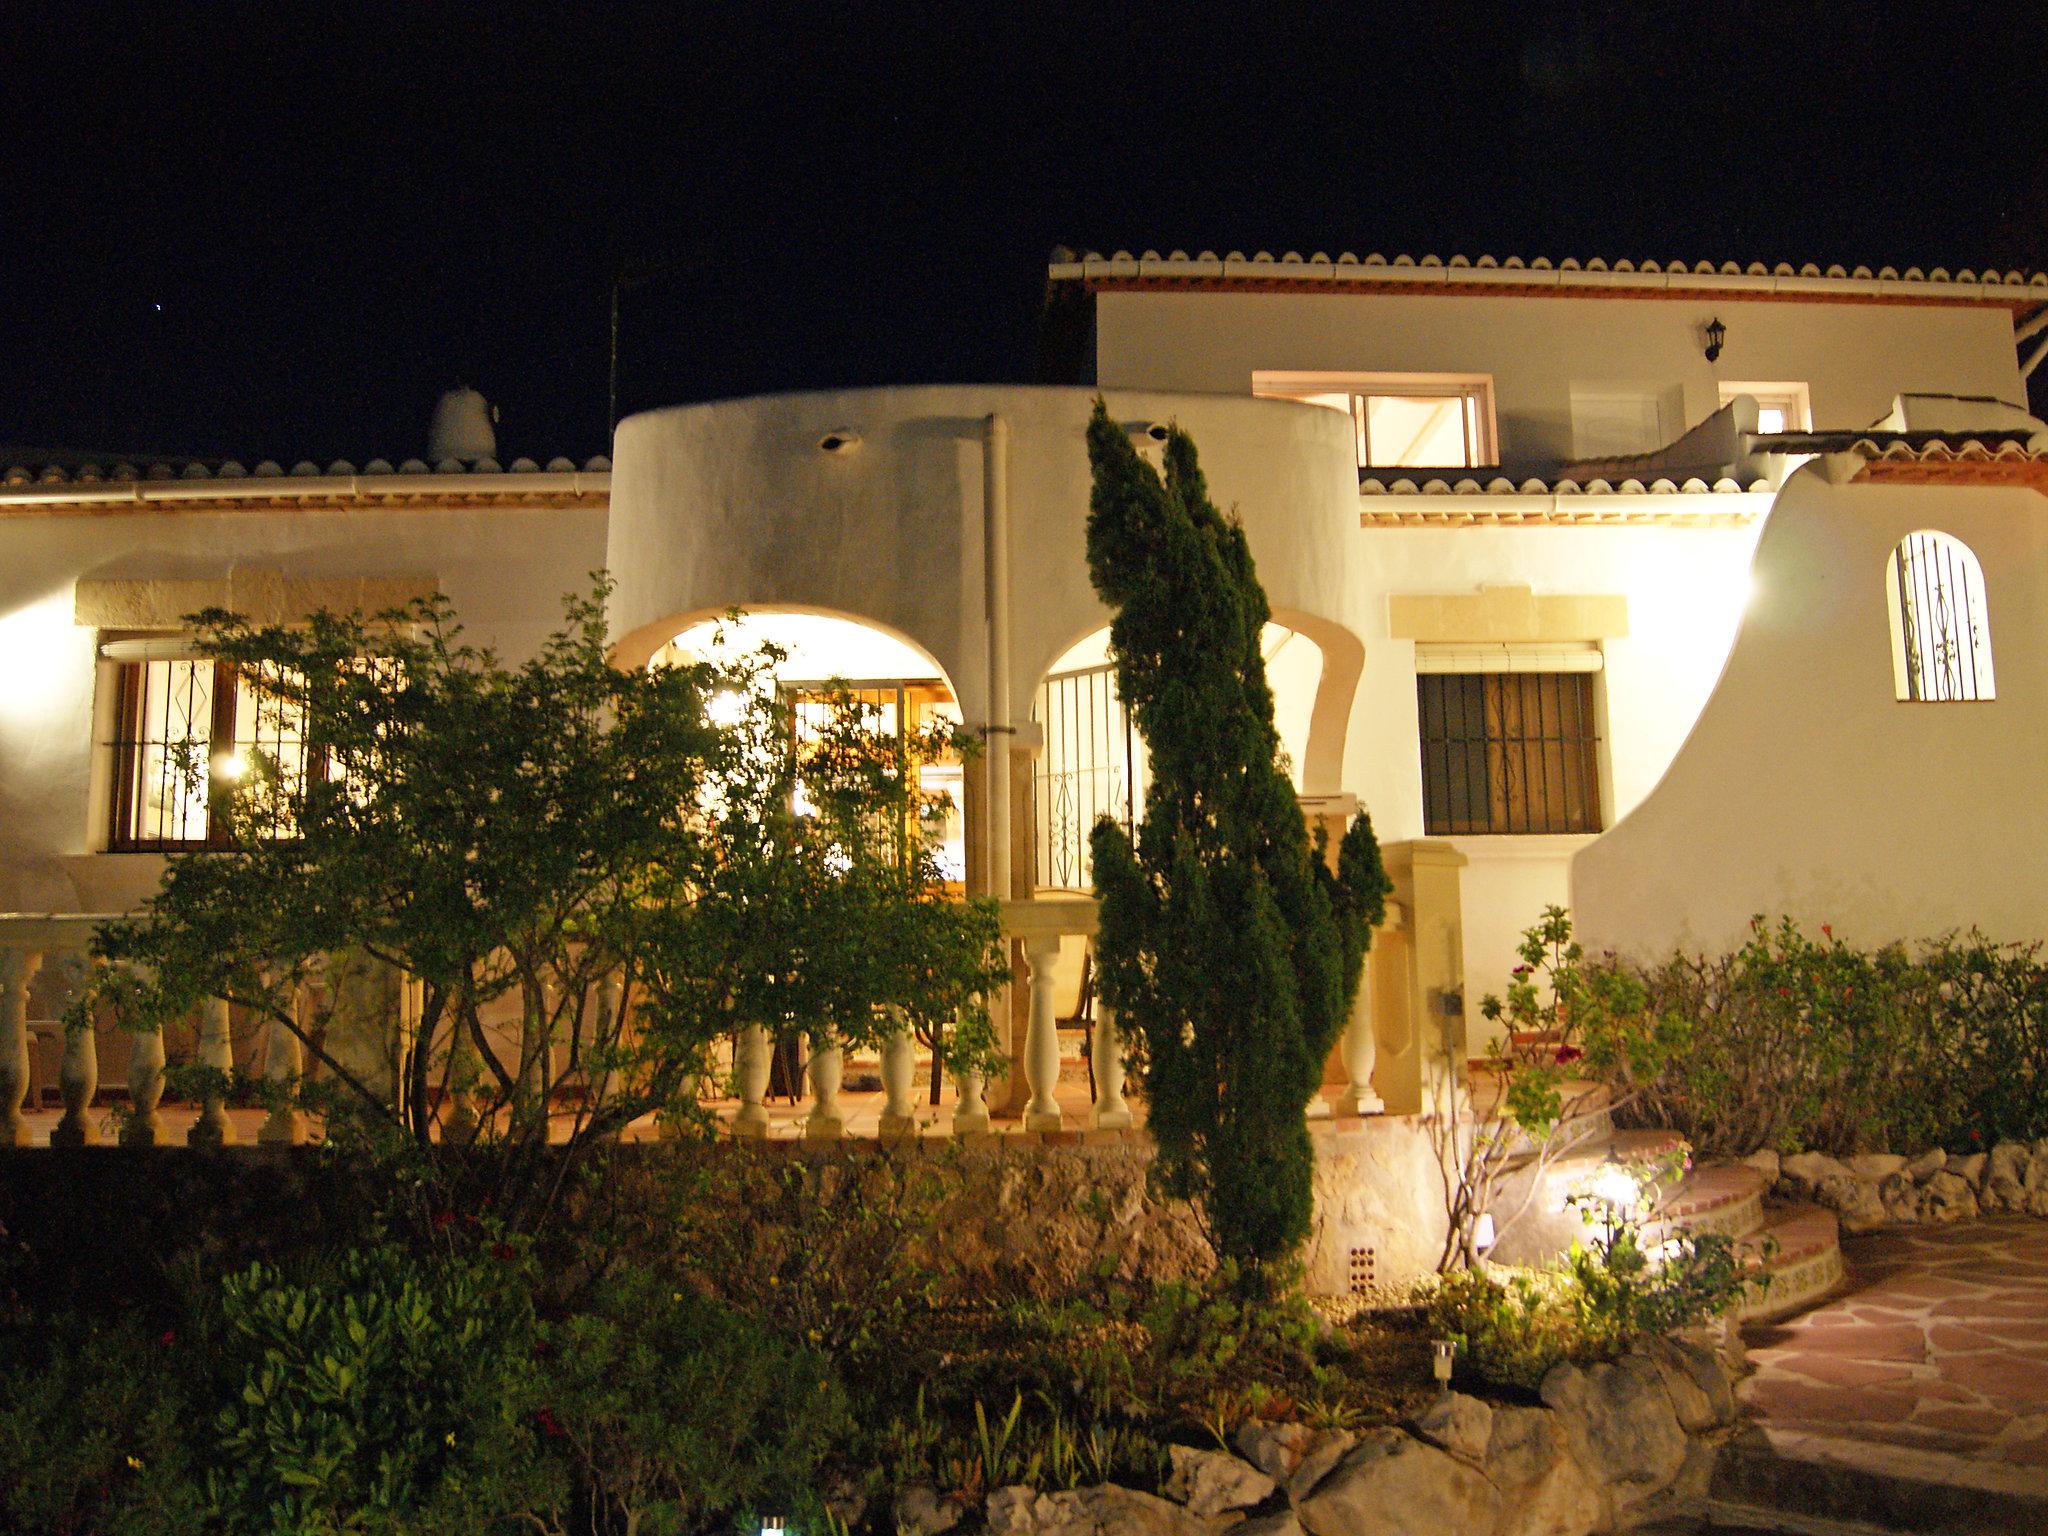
(1611, 1447)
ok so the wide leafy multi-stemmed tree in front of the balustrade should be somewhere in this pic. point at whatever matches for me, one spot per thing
(591, 873)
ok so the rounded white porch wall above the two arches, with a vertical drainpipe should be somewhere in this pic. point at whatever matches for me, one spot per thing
(869, 505)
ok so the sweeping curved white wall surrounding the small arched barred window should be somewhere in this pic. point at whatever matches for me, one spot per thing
(1807, 787)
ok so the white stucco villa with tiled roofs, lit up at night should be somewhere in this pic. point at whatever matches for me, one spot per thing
(1670, 593)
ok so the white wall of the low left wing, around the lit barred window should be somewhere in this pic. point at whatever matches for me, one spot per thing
(507, 572)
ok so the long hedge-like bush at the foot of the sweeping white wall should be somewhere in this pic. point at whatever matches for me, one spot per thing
(1797, 1041)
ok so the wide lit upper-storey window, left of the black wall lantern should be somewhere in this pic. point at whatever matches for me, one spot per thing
(1422, 421)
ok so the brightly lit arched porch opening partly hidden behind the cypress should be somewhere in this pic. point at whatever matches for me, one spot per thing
(1095, 761)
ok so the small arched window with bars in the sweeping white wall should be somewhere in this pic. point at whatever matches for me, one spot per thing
(1934, 593)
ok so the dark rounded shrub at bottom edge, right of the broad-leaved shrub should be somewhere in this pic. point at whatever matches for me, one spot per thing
(675, 1408)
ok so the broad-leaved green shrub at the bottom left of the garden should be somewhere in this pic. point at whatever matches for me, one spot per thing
(388, 1396)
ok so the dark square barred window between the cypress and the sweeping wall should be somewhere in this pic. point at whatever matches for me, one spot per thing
(1508, 753)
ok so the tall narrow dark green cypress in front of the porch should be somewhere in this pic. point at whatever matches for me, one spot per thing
(1230, 949)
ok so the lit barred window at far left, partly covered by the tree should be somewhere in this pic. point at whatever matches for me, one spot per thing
(183, 726)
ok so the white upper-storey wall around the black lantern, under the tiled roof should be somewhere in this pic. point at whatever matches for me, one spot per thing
(1857, 357)
